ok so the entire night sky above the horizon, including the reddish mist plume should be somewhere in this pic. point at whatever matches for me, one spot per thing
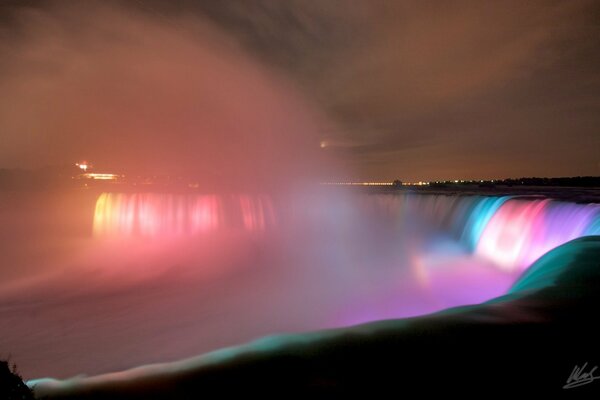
(416, 90)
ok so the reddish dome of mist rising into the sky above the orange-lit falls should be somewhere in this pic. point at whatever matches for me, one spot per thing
(138, 94)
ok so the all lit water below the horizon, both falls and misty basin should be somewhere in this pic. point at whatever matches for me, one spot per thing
(159, 277)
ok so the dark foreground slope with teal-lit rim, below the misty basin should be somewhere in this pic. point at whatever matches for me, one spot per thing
(540, 337)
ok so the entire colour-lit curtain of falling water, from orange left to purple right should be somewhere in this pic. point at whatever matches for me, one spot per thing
(511, 232)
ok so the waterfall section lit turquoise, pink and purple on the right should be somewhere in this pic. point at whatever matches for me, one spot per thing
(512, 232)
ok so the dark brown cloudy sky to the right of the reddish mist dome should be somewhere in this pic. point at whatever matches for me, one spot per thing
(429, 80)
